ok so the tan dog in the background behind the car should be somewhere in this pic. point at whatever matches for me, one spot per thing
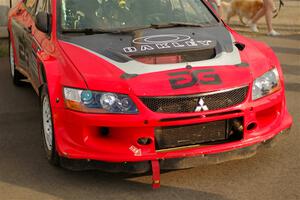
(242, 8)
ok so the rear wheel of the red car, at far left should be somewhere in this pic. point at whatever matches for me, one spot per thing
(15, 74)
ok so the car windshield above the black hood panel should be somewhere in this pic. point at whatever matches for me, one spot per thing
(129, 14)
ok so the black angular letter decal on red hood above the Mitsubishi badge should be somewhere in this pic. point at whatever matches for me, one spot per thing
(185, 79)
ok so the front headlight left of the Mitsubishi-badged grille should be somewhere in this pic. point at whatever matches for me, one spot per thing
(98, 102)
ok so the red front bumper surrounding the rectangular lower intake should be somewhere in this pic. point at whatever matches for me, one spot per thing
(78, 134)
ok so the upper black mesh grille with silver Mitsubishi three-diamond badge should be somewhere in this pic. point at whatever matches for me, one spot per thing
(188, 104)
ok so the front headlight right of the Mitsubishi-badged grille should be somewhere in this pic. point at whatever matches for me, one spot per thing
(266, 84)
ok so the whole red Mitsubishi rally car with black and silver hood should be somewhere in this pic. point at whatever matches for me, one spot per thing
(138, 85)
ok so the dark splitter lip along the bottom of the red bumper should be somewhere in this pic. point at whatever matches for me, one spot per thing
(175, 163)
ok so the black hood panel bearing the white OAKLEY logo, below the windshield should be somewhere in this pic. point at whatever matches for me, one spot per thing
(124, 47)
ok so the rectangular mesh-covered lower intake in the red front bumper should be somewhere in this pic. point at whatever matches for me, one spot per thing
(195, 134)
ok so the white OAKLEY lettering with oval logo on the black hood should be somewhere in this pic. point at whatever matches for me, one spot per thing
(157, 42)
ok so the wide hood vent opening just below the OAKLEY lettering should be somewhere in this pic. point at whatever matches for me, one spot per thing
(178, 57)
